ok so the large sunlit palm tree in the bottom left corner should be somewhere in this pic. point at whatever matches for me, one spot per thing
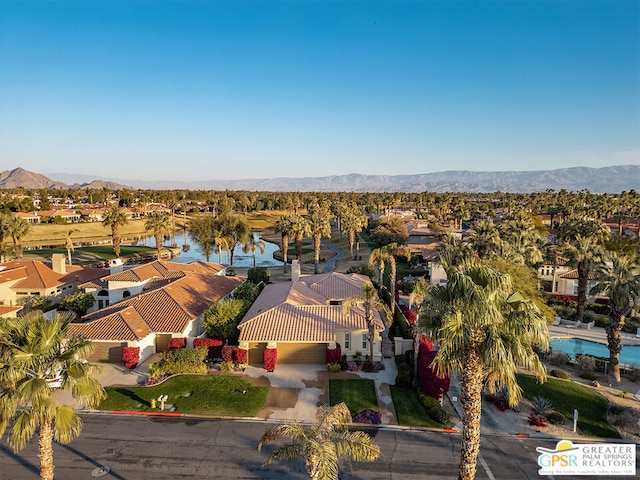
(35, 349)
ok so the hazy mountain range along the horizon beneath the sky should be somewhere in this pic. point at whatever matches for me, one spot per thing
(597, 180)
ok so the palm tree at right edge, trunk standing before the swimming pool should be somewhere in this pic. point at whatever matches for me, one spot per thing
(620, 280)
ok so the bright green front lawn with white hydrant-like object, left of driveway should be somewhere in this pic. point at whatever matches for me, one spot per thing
(210, 394)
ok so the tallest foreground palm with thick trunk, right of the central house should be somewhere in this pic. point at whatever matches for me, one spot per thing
(485, 331)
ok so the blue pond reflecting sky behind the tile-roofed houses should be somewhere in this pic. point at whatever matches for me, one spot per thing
(193, 253)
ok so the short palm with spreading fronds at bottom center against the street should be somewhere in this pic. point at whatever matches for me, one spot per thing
(323, 443)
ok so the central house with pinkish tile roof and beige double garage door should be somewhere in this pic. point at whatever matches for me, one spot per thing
(303, 317)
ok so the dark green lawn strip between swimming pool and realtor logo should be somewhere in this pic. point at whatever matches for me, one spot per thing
(565, 396)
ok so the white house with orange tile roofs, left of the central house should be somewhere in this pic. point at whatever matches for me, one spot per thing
(169, 304)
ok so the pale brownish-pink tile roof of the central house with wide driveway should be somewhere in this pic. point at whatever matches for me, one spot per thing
(300, 311)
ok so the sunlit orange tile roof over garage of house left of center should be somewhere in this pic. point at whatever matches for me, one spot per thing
(166, 309)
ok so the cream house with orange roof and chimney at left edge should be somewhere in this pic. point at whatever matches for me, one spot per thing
(23, 279)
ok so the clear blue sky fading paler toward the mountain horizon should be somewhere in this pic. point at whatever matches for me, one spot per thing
(259, 89)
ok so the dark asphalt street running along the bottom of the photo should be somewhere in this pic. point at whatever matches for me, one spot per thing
(141, 448)
